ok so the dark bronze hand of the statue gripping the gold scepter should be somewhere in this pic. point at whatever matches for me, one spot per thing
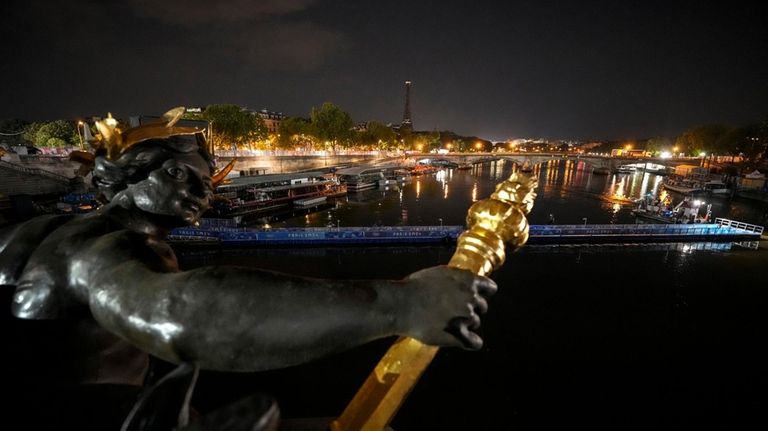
(444, 306)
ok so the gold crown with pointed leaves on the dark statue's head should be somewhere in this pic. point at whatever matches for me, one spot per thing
(114, 141)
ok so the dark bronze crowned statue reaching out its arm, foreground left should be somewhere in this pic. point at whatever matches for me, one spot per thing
(114, 283)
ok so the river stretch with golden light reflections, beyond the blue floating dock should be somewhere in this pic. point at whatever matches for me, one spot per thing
(567, 189)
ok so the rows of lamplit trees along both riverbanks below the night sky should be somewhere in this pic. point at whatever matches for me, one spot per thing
(330, 128)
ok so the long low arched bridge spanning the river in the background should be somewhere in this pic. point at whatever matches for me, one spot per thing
(531, 159)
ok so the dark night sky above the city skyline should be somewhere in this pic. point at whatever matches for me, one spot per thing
(495, 69)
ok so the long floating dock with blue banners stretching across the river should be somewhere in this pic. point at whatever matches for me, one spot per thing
(226, 234)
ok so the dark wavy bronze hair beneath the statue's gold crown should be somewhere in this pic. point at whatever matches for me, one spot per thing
(135, 164)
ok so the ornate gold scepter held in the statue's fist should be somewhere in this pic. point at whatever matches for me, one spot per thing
(492, 224)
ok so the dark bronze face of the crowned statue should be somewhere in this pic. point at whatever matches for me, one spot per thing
(180, 188)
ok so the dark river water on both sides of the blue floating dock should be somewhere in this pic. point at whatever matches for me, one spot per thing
(610, 337)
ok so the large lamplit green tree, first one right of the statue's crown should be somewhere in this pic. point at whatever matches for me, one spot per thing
(233, 127)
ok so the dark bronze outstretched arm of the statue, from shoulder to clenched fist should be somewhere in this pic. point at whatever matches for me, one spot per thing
(239, 319)
